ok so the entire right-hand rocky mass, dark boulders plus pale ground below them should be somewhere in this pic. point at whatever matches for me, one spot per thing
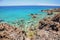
(49, 29)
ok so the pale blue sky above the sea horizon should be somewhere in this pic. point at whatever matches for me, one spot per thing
(29, 2)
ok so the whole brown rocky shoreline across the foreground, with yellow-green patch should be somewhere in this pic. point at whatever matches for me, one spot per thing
(46, 29)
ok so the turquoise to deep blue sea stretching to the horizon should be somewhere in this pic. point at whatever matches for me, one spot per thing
(13, 13)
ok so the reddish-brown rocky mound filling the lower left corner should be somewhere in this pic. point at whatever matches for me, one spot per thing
(8, 32)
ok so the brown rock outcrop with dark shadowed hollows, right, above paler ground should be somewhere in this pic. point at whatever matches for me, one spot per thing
(53, 23)
